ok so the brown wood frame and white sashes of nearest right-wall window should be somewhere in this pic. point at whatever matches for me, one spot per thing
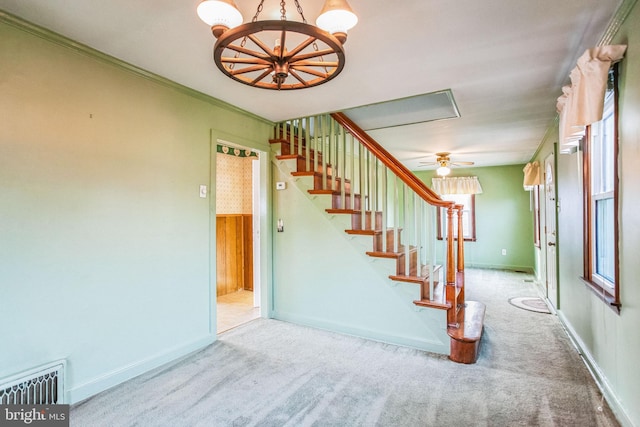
(606, 290)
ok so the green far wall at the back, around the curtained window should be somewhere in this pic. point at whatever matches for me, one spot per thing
(503, 218)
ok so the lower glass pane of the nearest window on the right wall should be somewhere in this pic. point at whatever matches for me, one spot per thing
(605, 239)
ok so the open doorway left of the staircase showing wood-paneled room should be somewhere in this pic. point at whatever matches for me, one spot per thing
(238, 283)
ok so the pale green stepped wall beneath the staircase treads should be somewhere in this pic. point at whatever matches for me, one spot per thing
(323, 278)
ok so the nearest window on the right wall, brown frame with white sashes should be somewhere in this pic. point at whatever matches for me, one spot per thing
(600, 148)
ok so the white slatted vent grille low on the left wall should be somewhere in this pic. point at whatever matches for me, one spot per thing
(43, 385)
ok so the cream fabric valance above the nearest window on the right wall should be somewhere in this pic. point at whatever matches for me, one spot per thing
(582, 102)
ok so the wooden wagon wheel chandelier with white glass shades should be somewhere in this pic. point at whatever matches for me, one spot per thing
(279, 54)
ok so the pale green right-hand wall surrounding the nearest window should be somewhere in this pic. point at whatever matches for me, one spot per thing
(609, 341)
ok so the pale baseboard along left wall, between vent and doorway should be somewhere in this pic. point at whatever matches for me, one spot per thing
(118, 376)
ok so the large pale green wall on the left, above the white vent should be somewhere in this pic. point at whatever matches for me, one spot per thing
(105, 253)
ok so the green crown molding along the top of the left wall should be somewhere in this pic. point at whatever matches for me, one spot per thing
(83, 49)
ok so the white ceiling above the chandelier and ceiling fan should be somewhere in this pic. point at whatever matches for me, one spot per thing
(504, 61)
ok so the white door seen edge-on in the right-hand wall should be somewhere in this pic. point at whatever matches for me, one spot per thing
(550, 230)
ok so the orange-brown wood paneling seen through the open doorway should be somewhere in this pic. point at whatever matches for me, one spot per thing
(234, 253)
